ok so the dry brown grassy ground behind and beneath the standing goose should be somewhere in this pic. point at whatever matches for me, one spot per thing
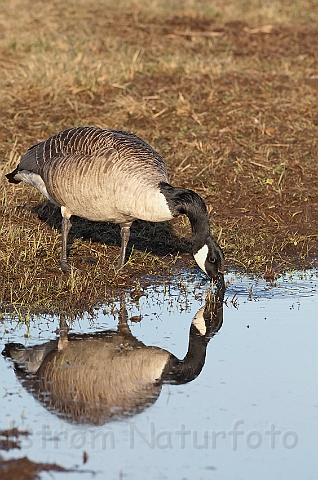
(226, 91)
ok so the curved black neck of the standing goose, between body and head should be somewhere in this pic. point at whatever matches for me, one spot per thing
(184, 201)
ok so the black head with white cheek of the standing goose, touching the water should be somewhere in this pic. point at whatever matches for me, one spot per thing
(210, 259)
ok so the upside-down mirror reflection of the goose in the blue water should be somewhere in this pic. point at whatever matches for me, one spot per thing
(109, 375)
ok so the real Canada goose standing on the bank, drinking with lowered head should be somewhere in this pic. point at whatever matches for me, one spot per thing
(114, 176)
